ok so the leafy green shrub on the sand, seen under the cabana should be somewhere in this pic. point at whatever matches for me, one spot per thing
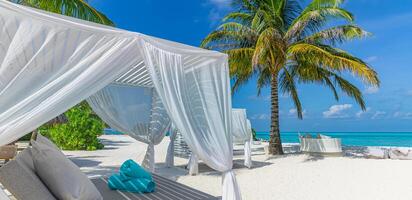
(80, 133)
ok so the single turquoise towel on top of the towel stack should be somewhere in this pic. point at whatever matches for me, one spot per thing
(130, 169)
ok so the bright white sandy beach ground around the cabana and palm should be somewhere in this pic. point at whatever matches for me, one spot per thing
(289, 177)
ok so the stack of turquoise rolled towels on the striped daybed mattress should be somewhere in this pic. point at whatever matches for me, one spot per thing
(132, 178)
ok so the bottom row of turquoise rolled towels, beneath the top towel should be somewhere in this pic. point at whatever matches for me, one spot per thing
(139, 185)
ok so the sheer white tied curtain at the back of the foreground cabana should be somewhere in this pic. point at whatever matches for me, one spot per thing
(136, 111)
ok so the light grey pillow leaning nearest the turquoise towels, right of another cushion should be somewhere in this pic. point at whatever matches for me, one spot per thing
(63, 178)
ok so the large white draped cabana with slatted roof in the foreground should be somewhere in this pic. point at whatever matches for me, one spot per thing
(49, 63)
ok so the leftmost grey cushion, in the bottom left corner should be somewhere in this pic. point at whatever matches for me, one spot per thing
(18, 178)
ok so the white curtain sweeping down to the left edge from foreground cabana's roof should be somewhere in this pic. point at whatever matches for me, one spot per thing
(48, 66)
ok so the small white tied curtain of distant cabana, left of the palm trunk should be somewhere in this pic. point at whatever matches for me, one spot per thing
(242, 133)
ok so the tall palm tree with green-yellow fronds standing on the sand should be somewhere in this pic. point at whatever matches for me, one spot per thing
(284, 43)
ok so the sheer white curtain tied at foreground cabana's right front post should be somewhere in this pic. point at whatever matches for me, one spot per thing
(197, 97)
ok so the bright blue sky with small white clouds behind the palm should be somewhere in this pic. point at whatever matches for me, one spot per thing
(388, 51)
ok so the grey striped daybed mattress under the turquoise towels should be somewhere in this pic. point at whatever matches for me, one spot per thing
(165, 190)
